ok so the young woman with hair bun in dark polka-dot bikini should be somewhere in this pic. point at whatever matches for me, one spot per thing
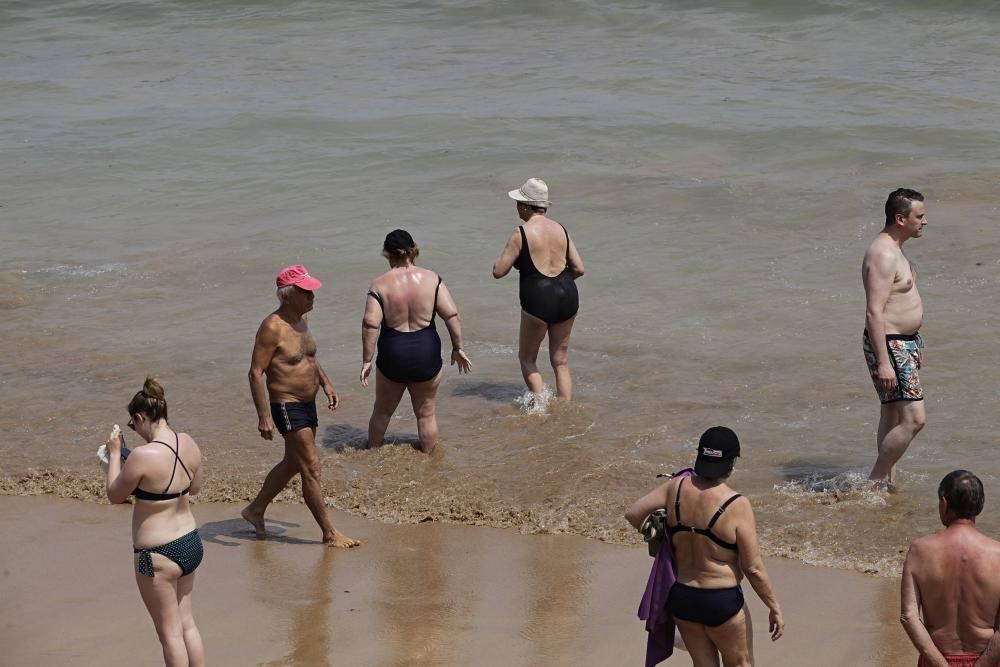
(167, 547)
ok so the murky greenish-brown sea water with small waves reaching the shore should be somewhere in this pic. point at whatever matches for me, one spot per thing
(721, 167)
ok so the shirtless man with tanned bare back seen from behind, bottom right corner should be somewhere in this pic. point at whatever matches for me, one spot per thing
(950, 588)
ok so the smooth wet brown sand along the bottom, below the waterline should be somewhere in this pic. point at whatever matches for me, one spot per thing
(427, 594)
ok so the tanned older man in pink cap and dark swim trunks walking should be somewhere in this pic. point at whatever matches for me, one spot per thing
(285, 352)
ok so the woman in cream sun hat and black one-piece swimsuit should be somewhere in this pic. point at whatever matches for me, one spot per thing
(549, 264)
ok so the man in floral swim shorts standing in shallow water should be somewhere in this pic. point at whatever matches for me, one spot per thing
(893, 315)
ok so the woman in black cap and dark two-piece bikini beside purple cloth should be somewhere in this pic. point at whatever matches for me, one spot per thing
(714, 537)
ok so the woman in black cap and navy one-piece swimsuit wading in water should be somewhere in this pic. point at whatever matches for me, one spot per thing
(400, 315)
